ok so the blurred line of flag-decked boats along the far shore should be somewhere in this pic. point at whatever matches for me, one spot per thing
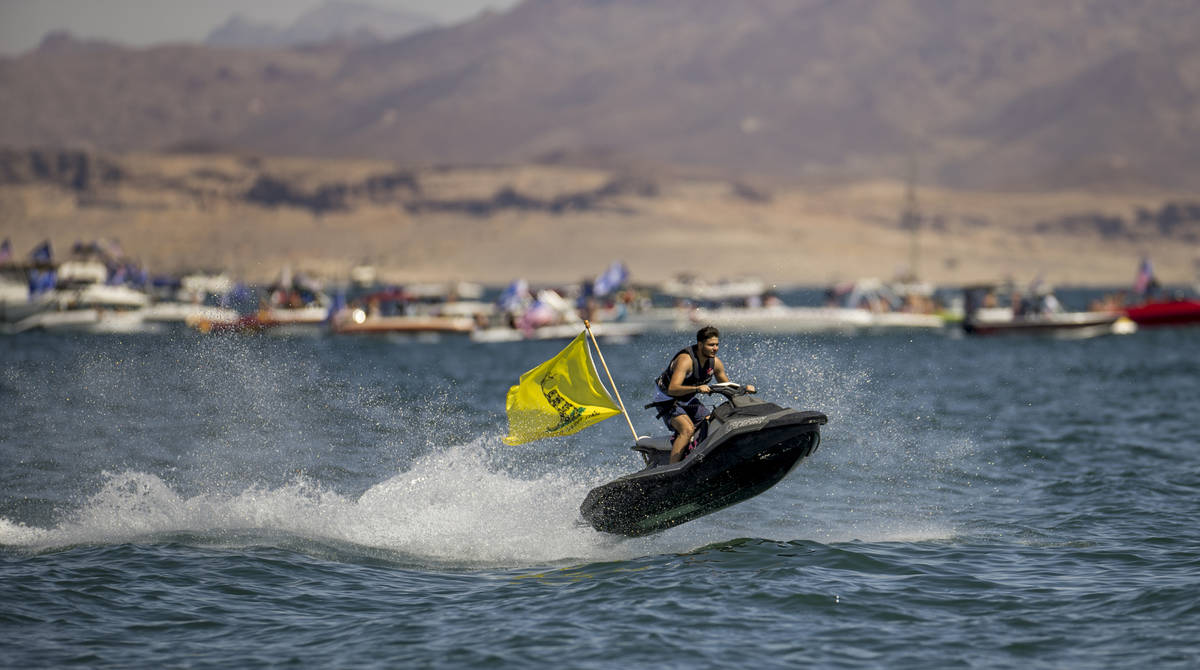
(95, 290)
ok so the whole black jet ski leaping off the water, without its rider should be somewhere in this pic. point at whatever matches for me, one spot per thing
(746, 447)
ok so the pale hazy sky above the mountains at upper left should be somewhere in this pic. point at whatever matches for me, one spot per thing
(151, 22)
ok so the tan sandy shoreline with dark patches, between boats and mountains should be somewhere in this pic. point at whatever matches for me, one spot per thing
(556, 225)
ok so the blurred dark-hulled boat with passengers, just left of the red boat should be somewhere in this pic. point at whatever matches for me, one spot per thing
(992, 310)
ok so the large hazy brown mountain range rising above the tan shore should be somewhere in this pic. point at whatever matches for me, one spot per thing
(1012, 94)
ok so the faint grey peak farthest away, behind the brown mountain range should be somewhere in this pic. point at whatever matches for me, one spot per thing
(334, 21)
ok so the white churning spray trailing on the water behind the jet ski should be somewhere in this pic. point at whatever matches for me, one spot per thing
(451, 507)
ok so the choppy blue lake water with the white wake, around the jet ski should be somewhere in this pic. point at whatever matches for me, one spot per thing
(333, 502)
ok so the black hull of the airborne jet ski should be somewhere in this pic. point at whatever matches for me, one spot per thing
(740, 469)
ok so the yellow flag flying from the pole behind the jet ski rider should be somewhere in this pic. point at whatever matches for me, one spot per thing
(560, 397)
